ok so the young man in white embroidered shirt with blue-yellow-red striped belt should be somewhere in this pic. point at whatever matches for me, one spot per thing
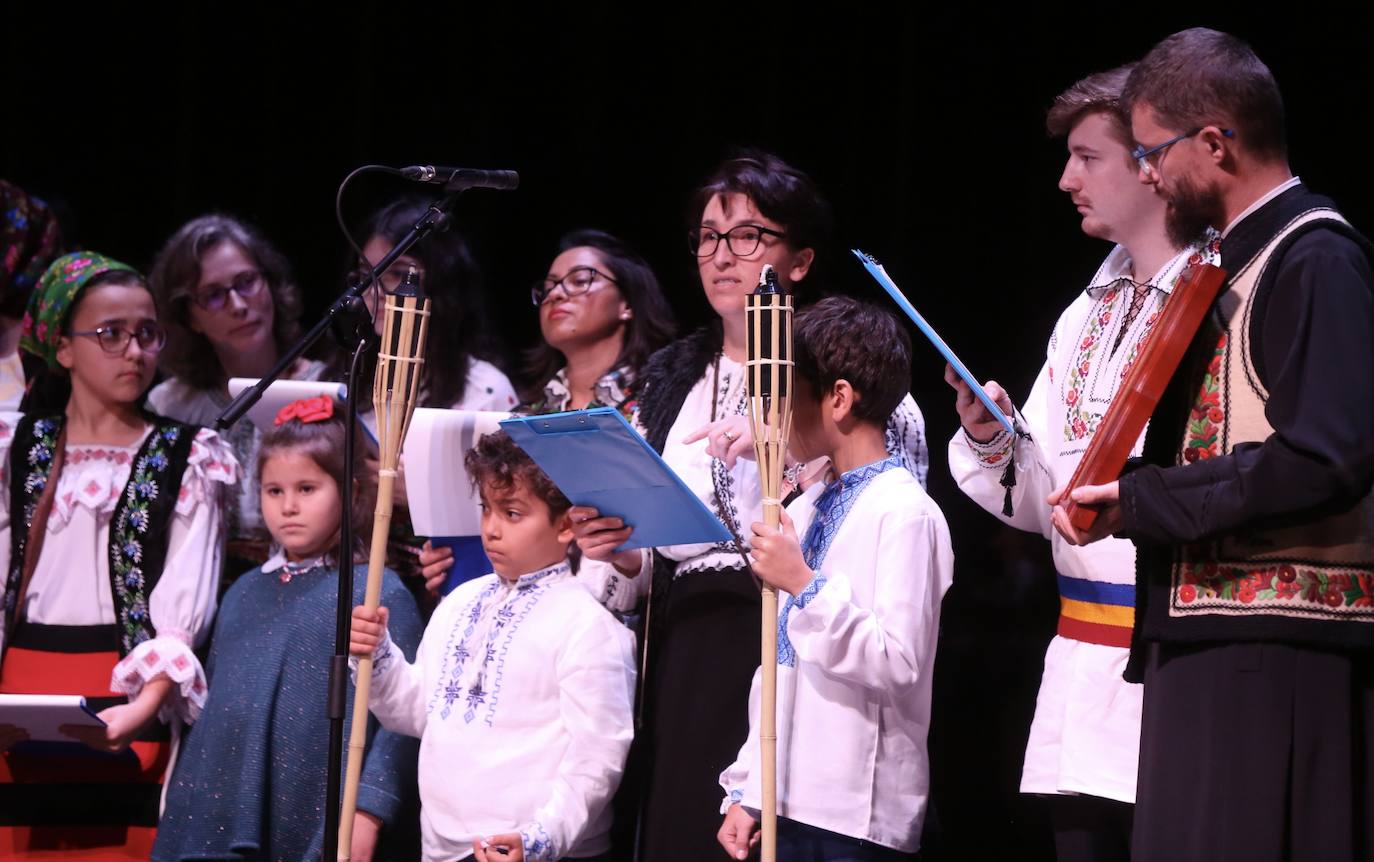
(1085, 739)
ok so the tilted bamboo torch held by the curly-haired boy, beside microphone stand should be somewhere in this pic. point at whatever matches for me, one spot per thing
(395, 393)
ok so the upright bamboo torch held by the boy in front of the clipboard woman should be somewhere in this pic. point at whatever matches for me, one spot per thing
(769, 325)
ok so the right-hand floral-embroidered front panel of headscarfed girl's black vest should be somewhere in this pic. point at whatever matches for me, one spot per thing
(127, 537)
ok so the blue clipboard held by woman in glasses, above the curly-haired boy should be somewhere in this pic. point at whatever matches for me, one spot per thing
(598, 460)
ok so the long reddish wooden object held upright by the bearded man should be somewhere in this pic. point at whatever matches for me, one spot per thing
(1156, 362)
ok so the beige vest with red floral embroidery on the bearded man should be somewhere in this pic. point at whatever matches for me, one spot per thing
(1316, 571)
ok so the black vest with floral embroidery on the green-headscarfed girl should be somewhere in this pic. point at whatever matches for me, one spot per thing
(139, 527)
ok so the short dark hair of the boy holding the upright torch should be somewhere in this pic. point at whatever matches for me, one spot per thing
(844, 339)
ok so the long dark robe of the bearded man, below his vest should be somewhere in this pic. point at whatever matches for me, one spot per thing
(1257, 753)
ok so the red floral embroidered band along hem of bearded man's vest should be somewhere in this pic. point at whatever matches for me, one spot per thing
(1284, 588)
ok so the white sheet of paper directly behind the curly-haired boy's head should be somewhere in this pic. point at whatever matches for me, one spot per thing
(442, 500)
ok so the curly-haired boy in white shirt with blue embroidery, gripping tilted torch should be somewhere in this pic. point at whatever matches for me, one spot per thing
(523, 688)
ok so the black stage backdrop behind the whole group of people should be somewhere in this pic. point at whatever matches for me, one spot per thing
(925, 129)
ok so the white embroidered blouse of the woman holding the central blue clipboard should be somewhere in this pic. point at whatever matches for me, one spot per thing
(734, 496)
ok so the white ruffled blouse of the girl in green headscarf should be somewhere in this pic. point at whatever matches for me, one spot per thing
(71, 584)
